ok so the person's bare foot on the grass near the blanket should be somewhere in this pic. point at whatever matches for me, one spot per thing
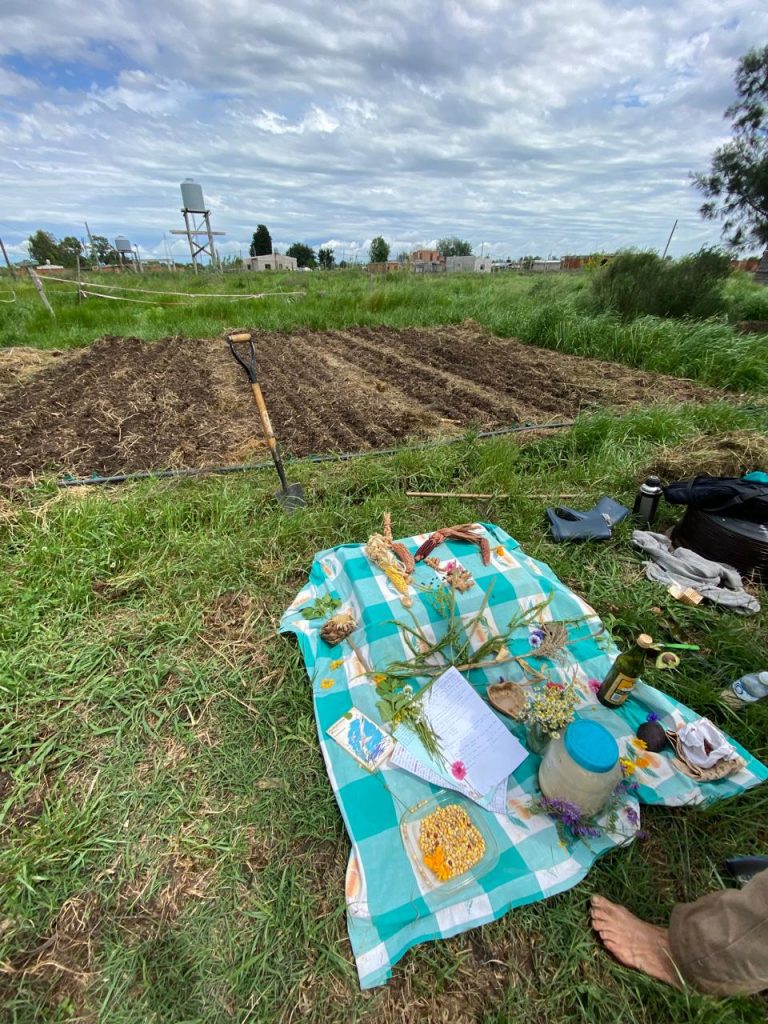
(635, 943)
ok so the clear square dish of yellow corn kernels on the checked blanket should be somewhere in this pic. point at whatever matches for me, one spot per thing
(449, 841)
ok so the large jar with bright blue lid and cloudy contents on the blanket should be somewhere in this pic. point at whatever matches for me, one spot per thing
(582, 767)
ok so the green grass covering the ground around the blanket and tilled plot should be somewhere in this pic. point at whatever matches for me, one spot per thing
(170, 850)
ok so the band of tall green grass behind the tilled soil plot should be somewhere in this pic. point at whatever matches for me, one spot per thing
(553, 313)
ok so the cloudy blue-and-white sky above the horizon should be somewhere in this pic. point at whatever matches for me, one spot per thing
(546, 126)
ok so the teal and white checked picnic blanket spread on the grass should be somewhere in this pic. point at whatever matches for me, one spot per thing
(389, 908)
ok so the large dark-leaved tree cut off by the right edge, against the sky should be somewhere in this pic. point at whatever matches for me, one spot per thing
(737, 186)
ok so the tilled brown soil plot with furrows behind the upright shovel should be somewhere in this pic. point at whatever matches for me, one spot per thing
(124, 405)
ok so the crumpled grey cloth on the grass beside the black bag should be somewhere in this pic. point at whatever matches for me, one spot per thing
(714, 581)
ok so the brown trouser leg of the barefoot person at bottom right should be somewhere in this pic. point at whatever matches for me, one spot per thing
(720, 944)
